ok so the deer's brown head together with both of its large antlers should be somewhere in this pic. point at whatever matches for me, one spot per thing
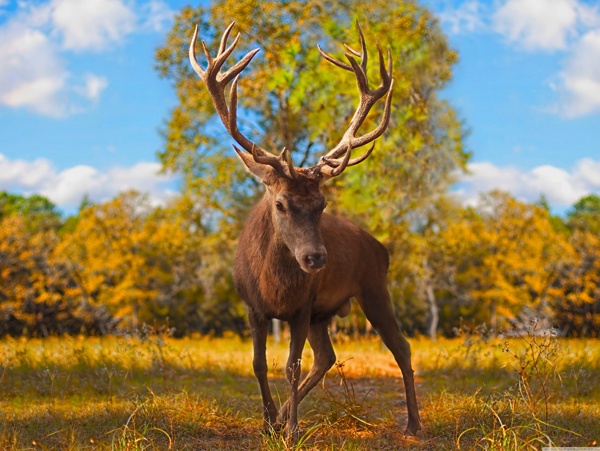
(293, 194)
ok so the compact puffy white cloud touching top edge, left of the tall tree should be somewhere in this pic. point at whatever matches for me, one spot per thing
(91, 24)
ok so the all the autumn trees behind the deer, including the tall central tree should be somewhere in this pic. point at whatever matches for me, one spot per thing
(125, 263)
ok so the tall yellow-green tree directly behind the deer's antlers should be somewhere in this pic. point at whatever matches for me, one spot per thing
(291, 97)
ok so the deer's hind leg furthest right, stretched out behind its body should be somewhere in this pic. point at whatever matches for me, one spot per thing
(377, 306)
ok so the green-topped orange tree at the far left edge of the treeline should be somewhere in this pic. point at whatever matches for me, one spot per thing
(38, 296)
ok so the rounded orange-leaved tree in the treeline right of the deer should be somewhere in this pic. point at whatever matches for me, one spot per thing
(486, 264)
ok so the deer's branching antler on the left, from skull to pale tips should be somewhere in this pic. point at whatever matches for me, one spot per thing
(216, 81)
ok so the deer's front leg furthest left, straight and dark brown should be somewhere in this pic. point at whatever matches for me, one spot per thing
(259, 327)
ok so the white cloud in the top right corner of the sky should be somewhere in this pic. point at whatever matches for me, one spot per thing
(569, 26)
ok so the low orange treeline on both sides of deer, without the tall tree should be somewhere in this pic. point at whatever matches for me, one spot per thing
(123, 263)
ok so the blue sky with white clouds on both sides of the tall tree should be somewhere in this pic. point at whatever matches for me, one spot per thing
(81, 105)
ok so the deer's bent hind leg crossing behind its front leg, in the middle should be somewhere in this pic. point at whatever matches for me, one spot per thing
(320, 342)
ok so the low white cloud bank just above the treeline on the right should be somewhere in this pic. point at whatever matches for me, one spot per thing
(562, 188)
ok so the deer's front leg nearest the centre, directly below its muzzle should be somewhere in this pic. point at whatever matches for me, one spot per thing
(299, 327)
